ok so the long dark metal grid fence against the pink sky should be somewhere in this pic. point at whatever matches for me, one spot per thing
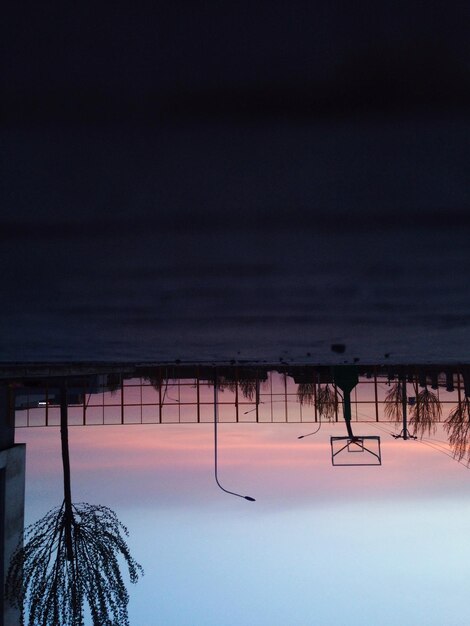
(271, 398)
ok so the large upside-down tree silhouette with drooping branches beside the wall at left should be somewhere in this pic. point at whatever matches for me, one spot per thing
(70, 556)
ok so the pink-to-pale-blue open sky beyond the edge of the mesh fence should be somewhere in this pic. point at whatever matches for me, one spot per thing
(320, 544)
